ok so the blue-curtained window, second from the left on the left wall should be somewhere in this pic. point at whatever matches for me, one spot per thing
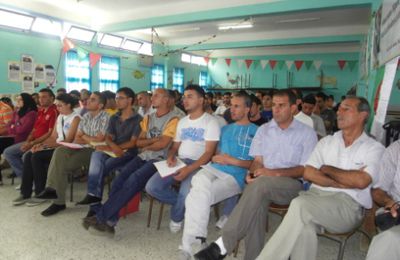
(109, 74)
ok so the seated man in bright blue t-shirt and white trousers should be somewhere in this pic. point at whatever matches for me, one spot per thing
(224, 177)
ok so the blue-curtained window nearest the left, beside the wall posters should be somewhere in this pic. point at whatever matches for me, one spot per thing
(77, 72)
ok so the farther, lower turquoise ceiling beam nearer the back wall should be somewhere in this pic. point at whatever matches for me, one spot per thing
(273, 42)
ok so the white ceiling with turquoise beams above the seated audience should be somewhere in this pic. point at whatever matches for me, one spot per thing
(279, 27)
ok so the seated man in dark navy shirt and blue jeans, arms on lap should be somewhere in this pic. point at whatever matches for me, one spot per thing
(122, 134)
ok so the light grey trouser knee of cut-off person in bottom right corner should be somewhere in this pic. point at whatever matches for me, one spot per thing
(385, 245)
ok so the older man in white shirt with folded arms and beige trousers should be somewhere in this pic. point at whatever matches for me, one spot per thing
(341, 168)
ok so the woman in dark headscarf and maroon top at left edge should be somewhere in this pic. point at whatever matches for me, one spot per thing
(21, 124)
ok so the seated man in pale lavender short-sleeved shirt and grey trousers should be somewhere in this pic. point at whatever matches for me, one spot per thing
(280, 148)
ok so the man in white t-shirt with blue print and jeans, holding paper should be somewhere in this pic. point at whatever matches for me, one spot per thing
(195, 142)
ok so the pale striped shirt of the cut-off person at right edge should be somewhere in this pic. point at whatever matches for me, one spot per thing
(389, 173)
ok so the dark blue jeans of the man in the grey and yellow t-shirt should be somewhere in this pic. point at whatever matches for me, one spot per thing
(131, 180)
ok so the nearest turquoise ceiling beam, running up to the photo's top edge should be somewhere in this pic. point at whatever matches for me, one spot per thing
(270, 8)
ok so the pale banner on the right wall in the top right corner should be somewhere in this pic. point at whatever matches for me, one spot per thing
(389, 28)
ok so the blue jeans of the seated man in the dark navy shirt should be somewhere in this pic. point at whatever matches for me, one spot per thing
(101, 165)
